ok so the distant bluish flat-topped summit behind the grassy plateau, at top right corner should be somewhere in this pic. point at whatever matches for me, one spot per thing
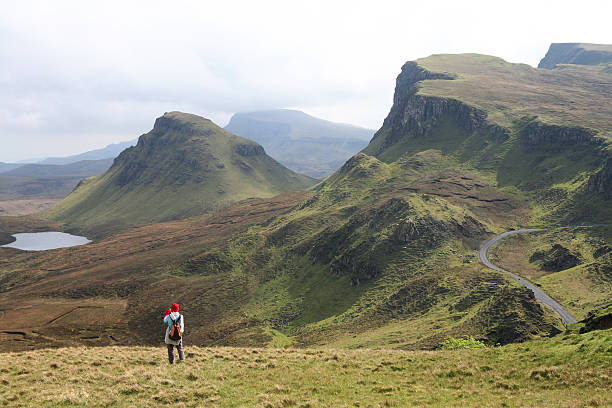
(577, 54)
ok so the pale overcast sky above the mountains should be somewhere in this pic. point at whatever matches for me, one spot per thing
(78, 75)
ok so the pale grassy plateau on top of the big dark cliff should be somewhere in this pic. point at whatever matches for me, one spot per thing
(509, 91)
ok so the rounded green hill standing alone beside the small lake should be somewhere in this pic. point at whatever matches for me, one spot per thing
(185, 166)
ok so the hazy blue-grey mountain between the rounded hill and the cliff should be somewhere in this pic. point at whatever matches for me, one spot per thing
(303, 143)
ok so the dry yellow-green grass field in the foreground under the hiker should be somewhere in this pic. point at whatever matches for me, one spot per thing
(569, 370)
